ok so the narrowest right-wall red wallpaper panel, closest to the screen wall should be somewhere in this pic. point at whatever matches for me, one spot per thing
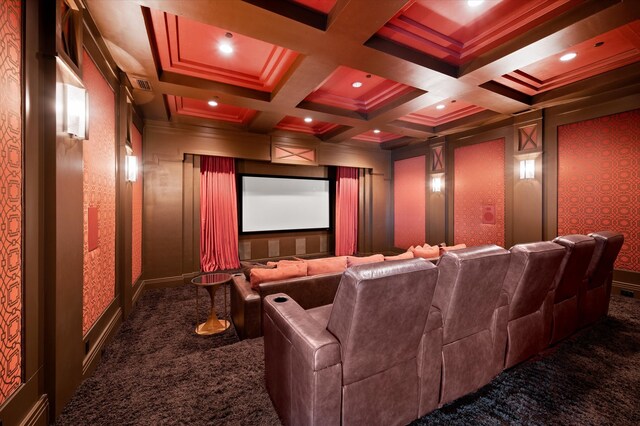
(409, 206)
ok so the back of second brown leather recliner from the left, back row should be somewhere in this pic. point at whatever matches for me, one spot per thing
(473, 305)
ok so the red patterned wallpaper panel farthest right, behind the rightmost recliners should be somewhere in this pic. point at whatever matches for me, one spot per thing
(598, 180)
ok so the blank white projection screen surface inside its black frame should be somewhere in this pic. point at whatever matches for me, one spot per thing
(277, 204)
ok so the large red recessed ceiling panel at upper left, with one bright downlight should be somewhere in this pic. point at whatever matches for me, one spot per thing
(191, 48)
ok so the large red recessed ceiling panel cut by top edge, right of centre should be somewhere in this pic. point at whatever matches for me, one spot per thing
(455, 32)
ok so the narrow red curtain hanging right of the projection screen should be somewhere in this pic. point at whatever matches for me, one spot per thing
(346, 211)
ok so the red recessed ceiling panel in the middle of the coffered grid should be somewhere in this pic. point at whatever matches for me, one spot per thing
(338, 91)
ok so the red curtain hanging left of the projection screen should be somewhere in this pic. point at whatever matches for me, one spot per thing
(218, 214)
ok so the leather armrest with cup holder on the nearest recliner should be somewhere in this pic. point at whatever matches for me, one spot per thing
(310, 339)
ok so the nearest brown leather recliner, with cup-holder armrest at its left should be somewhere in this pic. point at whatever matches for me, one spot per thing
(354, 362)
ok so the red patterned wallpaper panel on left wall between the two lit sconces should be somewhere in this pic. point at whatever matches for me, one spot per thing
(99, 157)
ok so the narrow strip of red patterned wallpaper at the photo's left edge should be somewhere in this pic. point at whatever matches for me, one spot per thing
(10, 197)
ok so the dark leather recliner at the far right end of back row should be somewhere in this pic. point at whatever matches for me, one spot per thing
(593, 298)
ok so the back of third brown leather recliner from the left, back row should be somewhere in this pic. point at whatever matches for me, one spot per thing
(529, 284)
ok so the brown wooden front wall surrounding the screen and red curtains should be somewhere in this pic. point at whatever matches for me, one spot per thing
(169, 247)
